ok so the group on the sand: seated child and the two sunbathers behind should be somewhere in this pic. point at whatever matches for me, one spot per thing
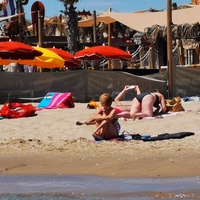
(146, 104)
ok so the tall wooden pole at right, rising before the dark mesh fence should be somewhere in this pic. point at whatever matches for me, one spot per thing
(169, 50)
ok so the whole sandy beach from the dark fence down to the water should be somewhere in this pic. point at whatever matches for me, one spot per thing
(51, 143)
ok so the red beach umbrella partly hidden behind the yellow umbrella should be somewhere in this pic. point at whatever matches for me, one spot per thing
(70, 62)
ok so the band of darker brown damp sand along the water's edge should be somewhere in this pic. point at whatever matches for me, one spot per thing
(118, 164)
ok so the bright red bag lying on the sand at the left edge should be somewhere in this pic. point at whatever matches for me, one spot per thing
(16, 110)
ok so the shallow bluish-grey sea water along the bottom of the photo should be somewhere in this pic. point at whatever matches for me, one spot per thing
(97, 188)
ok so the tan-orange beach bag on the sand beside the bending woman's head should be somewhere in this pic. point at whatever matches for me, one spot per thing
(174, 105)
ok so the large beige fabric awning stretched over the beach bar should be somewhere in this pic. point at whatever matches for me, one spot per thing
(140, 21)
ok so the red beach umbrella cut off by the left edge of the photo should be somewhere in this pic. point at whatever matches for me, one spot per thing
(12, 50)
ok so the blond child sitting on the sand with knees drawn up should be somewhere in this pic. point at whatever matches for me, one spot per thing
(105, 120)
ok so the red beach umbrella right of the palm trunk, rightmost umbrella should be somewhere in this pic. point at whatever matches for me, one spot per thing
(102, 52)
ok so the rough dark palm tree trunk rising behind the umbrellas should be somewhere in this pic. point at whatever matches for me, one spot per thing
(71, 24)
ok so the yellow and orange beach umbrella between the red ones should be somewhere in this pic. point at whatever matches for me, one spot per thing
(48, 59)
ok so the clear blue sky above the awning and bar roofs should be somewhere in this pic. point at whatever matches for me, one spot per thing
(52, 7)
